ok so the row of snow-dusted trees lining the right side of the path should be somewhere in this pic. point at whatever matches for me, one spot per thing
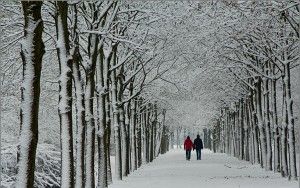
(260, 125)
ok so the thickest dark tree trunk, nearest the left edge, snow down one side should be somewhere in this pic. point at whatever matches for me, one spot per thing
(32, 51)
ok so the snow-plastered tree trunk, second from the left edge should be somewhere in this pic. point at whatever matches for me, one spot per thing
(65, 95)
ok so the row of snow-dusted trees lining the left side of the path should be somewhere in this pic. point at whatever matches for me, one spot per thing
(104, 65)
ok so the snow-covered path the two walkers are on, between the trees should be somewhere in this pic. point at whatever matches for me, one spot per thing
(215, 170)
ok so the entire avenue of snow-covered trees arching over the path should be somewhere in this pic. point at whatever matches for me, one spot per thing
(122, 67)
